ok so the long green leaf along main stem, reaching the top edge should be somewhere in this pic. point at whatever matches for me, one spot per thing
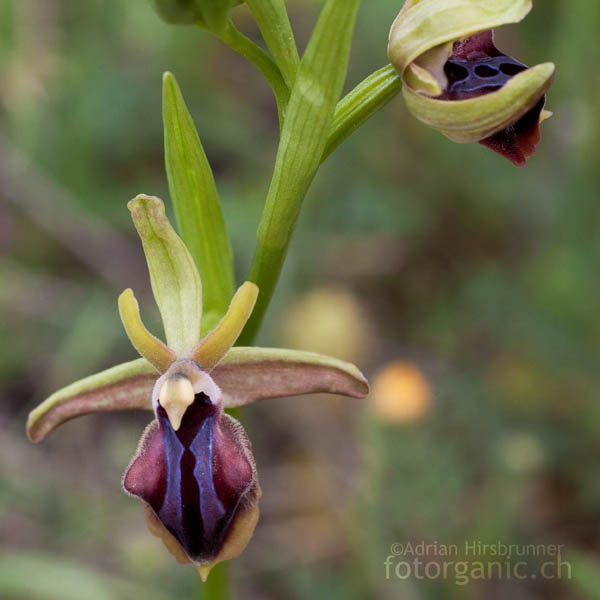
(308, 120)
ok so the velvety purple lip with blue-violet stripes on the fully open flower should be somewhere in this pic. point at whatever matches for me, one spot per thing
(193, 478)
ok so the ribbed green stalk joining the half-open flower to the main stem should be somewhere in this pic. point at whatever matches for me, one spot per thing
(359, 105)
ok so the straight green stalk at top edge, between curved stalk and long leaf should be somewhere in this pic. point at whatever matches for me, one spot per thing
(274, 24)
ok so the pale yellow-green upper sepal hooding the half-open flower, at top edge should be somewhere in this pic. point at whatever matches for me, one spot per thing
(424, 24)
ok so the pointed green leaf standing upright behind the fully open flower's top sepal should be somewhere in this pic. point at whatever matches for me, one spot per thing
(196, 202)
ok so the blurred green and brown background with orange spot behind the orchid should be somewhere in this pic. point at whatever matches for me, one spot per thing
(477, 282)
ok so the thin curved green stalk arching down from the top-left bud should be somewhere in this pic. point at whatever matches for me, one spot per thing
(237, 41)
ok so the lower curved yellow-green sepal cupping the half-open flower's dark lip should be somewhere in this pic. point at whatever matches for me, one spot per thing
(477, 118)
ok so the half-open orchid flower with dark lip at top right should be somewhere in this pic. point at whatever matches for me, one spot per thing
(457, 81)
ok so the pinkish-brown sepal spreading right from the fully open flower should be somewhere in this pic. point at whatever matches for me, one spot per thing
(247, 374)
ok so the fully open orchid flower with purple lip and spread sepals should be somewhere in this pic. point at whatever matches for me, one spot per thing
(193, 471)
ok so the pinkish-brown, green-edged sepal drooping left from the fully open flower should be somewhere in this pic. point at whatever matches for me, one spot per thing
(124, 387)
